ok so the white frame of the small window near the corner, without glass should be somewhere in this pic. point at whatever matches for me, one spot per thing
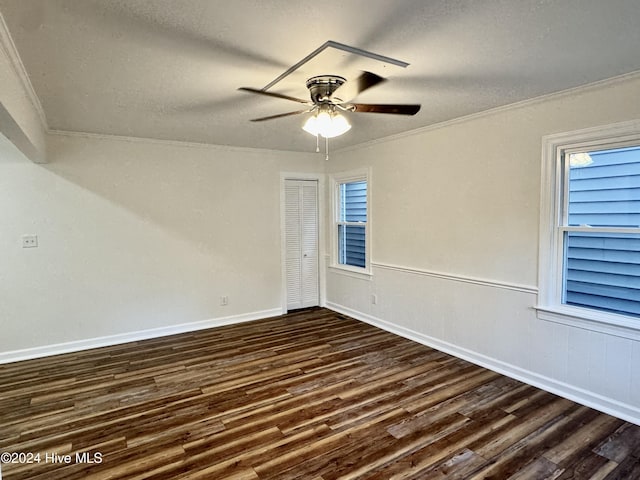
(362, 175)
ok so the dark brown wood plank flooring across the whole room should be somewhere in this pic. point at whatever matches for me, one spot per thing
(312, 395)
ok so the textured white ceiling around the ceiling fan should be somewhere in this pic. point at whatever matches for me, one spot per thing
(170, 69)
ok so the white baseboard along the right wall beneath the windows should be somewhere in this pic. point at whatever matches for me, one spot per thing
(607, 405)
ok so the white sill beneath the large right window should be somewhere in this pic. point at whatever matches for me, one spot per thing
(610, 324)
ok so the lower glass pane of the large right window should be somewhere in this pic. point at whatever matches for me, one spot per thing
(602, 271)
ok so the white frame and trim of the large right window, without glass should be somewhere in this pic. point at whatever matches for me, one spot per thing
(553, 211)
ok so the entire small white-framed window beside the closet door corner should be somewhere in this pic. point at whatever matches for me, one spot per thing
(351, 242)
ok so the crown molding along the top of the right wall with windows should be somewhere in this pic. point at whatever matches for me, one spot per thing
(607, 82)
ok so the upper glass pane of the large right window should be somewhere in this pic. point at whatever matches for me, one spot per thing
(604, 188)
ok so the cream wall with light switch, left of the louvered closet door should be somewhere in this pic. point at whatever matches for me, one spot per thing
(137, 236)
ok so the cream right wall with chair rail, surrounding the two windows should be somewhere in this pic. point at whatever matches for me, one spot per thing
(457, 209)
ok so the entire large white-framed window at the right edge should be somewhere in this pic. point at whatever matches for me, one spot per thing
(590, 229)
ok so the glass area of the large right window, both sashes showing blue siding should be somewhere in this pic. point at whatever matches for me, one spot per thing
(601, 230)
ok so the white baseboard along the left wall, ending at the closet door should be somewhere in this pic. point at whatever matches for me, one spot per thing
(79, 345)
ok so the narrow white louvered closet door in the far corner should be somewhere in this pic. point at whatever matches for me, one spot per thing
(301, 236)
